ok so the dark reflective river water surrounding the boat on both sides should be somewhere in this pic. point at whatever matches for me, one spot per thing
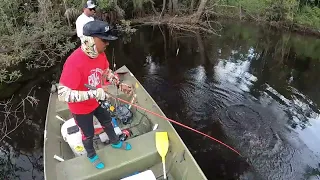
(251, 87)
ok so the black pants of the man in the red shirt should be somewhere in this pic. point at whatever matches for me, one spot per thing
(85, 122)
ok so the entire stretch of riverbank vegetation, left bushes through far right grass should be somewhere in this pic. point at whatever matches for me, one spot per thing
(39, 32)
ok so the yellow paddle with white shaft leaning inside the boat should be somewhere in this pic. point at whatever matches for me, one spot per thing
(162, 144)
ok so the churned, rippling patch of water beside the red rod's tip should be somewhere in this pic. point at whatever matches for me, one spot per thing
(256, 139)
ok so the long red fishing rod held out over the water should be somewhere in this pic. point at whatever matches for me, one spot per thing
(168, 119)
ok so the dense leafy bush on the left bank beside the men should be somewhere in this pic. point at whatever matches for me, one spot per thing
(37, 38)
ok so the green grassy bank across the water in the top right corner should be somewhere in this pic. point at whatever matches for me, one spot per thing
(297, 15)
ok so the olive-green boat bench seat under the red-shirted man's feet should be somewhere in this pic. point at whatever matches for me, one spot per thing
(117, 162)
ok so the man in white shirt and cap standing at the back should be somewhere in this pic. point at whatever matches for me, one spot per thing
(89, 10)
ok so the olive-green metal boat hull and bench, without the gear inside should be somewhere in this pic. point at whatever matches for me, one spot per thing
(180, 163)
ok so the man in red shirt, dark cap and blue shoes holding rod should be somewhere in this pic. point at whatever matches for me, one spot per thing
(87, 65)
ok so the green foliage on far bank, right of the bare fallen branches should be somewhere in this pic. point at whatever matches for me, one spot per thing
(301, 12)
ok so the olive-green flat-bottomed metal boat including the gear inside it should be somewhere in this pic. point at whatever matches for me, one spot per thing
(65, 157)
